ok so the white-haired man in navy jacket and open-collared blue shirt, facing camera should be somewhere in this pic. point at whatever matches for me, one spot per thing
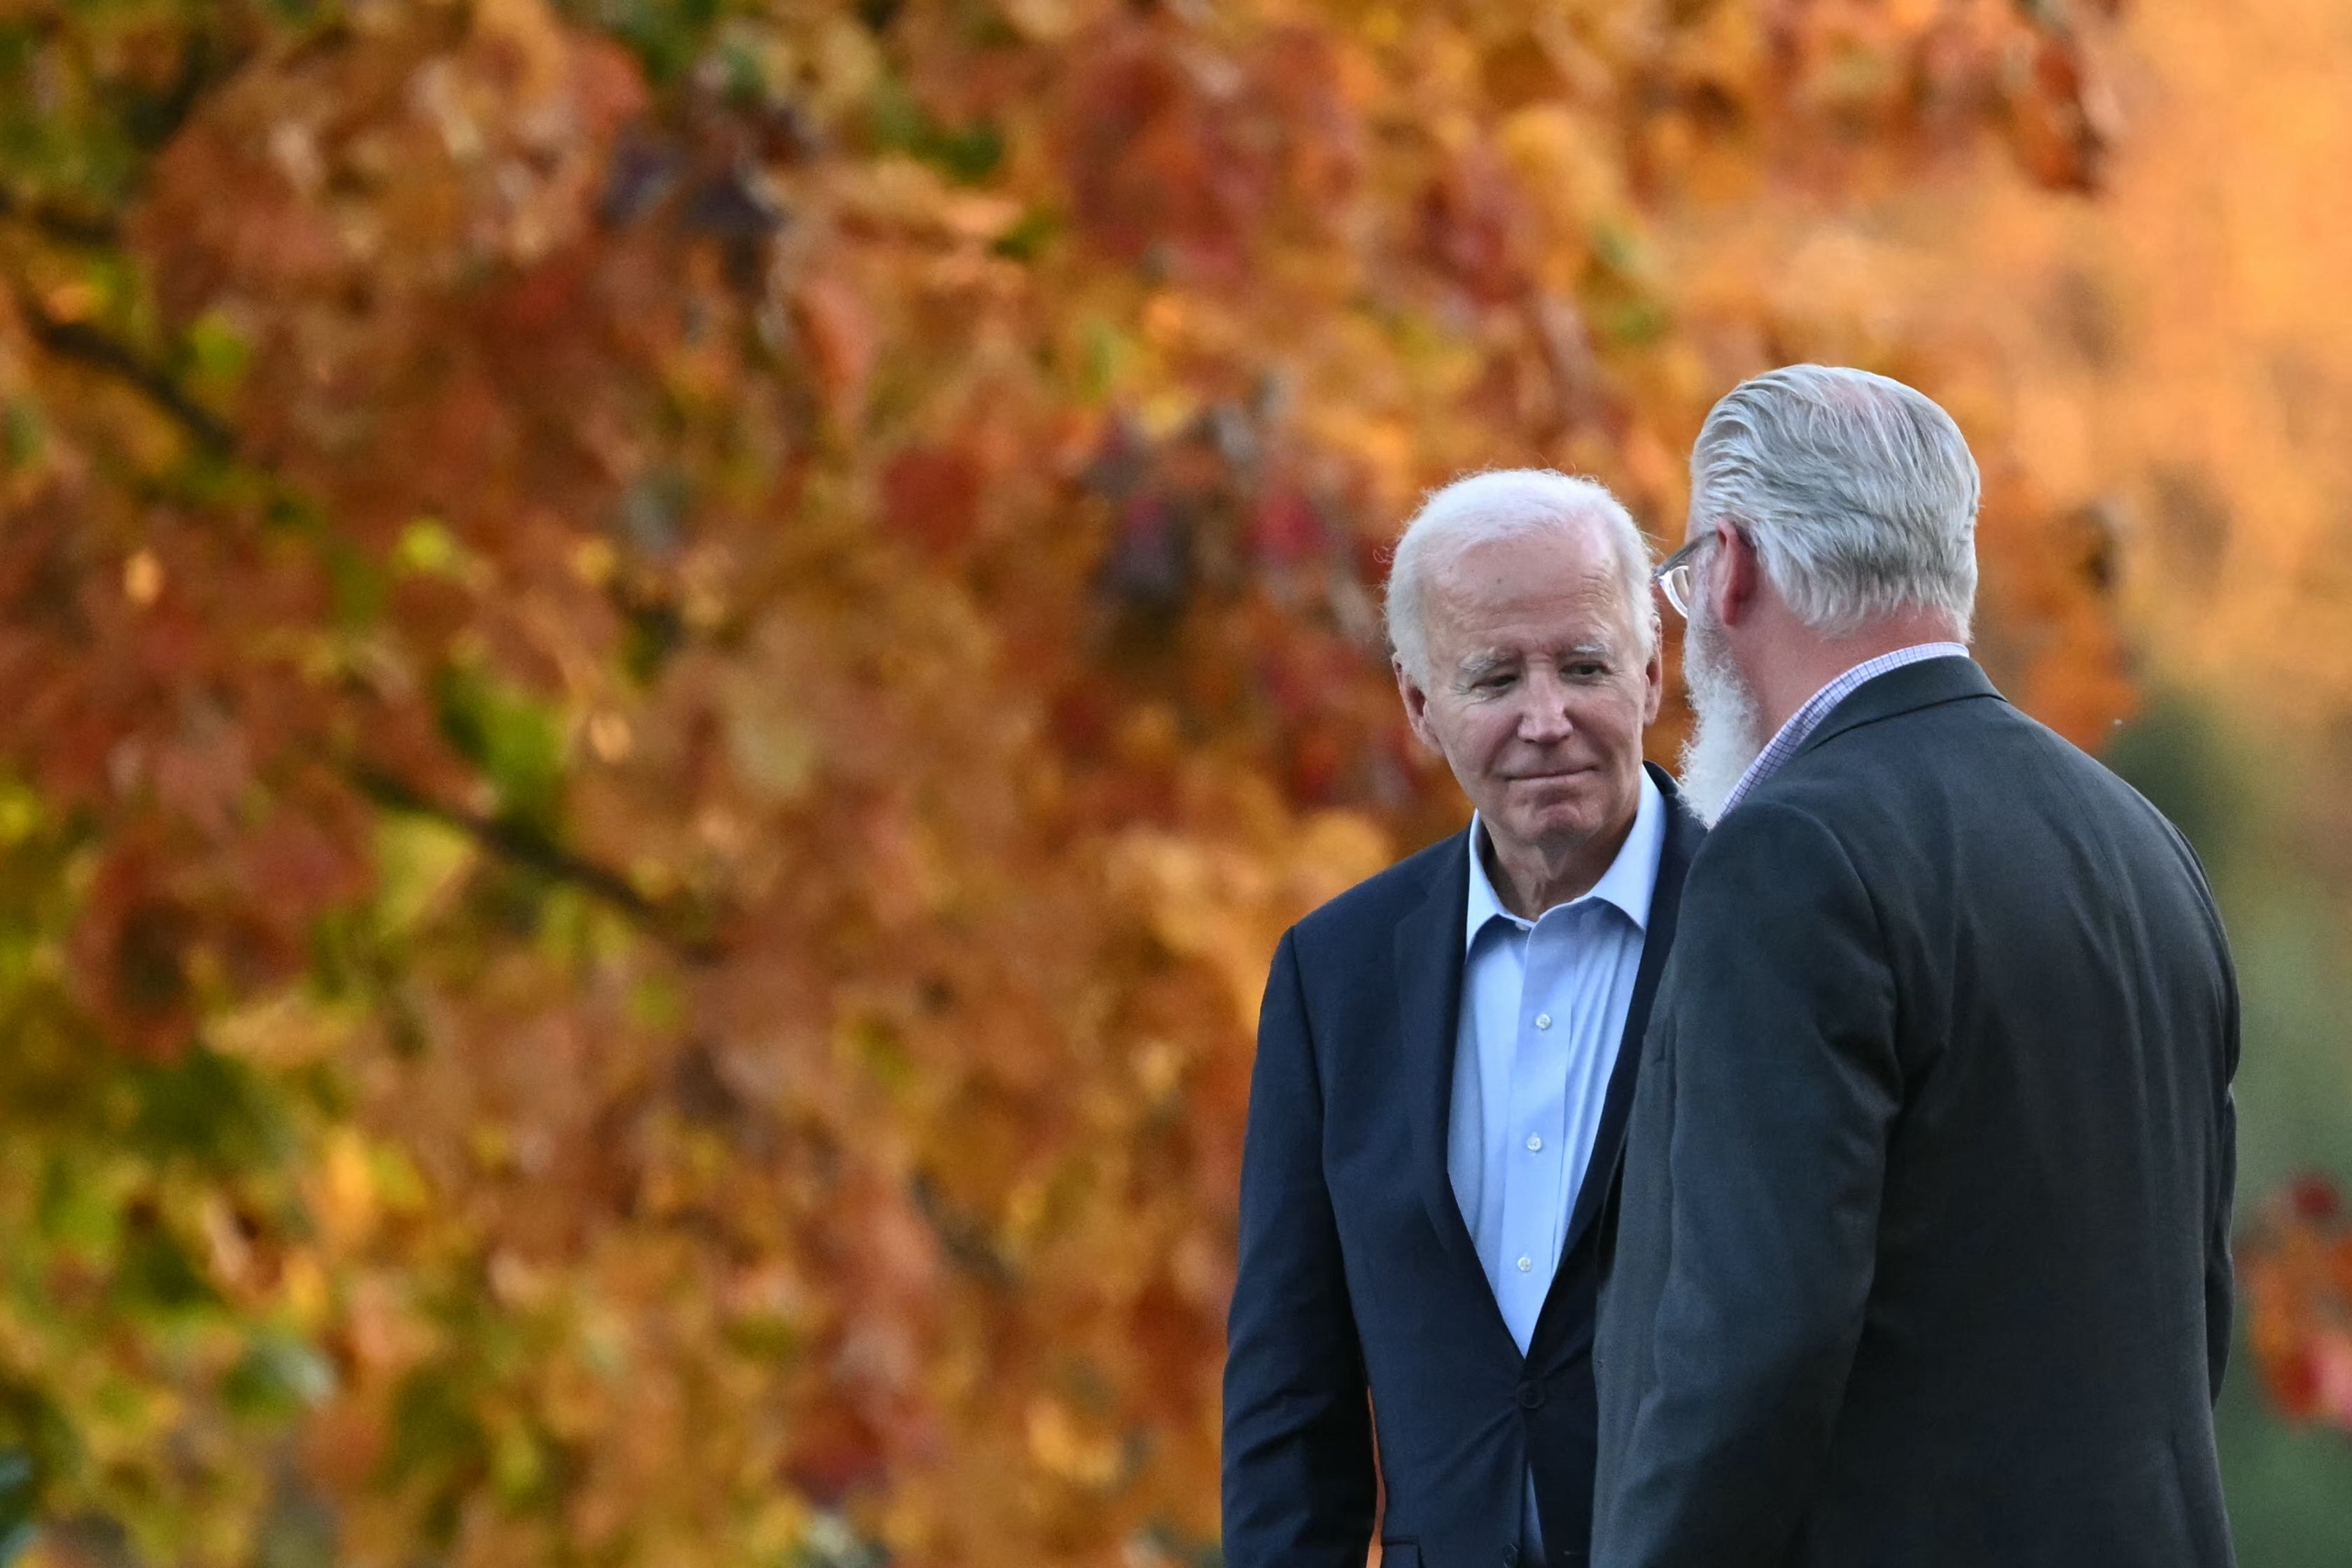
(1445, 1068)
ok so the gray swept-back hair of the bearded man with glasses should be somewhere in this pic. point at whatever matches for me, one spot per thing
(1857, 492)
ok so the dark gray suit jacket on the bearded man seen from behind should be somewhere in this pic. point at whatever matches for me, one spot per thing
(1923, 1245)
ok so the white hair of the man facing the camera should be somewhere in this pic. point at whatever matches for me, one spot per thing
(1504, 504)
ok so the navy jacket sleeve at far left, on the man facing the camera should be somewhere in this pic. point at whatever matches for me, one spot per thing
(1297, 1466)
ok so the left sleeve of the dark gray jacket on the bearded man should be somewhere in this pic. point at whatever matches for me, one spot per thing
(1786, 1087)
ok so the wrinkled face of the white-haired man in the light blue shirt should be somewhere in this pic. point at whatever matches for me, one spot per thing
(1539, 688)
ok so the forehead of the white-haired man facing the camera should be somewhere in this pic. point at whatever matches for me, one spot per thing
(1537, 589)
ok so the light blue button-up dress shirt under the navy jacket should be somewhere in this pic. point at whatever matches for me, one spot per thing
(1544, 1010)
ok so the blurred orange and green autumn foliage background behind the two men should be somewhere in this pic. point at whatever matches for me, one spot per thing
(669, 666)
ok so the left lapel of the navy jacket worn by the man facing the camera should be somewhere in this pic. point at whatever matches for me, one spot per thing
(1429, 1007)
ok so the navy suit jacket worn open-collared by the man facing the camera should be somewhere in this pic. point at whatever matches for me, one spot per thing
(1361, 1301)
